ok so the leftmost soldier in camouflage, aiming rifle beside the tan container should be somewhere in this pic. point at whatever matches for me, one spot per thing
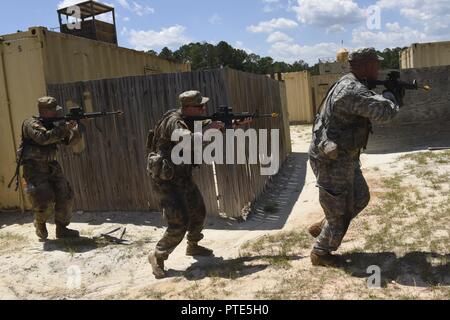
(46, 186)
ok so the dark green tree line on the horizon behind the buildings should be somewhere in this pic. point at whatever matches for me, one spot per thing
(204, 56)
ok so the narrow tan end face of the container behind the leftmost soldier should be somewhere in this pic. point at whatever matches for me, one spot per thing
(21, 83)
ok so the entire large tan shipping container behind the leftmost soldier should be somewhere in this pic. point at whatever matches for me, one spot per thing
(31, 60)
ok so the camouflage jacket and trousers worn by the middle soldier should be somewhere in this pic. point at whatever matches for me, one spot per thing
(181, 201)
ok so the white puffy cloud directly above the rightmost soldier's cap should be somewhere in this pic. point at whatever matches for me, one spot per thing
(394, 36)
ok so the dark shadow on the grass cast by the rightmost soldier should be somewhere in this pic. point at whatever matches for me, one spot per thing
(417, 269)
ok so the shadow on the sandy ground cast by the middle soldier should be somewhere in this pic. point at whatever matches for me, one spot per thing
(218, 267)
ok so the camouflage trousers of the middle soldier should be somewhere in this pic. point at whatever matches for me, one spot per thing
(184, 211)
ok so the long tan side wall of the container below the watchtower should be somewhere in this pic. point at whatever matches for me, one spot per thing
(70, 59)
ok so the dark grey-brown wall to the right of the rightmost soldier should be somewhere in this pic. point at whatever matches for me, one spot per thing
(424, 121)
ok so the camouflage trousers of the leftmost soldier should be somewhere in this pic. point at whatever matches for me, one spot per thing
(49, 191)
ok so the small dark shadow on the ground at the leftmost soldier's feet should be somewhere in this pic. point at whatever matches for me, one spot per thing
(78, 245)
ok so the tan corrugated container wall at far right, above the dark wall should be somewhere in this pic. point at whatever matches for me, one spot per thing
(422, 55)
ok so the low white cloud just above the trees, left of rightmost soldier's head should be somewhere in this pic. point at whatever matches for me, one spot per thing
(289, 52)
